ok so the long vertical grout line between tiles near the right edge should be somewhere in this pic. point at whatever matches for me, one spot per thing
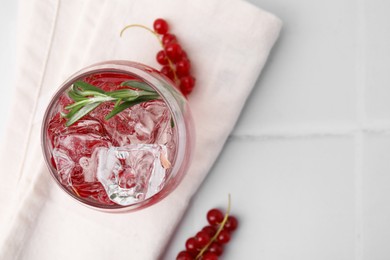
(361, 121)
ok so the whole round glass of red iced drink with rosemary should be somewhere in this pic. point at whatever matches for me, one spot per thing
(130, 160)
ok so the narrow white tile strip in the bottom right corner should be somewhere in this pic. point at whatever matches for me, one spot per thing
(376, 197)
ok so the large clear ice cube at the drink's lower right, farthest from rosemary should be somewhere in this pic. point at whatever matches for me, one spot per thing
(133, 172)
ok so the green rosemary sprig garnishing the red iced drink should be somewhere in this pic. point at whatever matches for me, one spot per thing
(87, 97)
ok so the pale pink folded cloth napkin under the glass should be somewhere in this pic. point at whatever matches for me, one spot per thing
(228, 42)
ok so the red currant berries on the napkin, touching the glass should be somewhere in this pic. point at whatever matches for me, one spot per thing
(173, 58)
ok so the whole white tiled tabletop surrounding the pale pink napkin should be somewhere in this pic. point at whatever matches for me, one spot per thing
(308, 163)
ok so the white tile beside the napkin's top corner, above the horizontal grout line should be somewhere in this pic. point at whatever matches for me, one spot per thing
(310, 78)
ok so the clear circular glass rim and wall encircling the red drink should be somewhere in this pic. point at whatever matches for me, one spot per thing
(177, 106)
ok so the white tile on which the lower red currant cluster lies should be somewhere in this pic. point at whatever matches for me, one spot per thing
(294, 198)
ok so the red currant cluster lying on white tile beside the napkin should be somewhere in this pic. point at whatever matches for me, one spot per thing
(208, 243)
